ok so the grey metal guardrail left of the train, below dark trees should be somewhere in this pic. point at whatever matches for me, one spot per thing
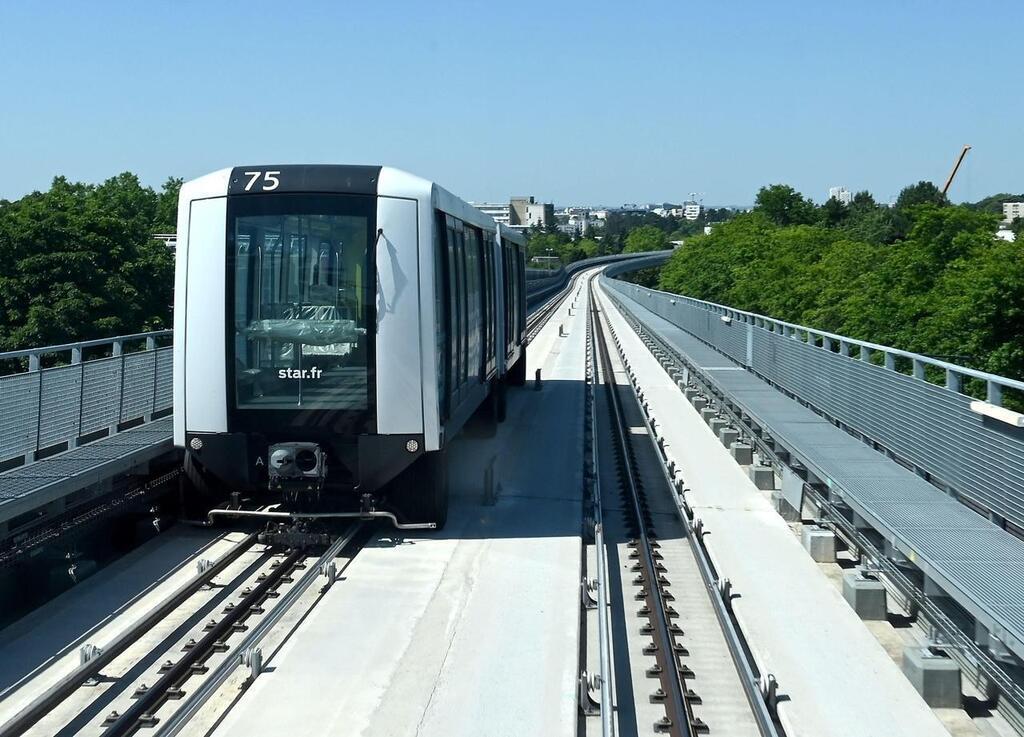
(47, 408)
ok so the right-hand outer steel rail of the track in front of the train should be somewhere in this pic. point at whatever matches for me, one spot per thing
(177, 722)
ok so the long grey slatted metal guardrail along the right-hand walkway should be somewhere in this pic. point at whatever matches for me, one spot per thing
(934, 428)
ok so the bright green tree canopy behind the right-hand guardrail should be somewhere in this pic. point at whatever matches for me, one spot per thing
(925, 276)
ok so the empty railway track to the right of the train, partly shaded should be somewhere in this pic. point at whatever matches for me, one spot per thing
(661, 547)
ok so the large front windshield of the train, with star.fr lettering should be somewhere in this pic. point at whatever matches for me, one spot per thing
(301, 298)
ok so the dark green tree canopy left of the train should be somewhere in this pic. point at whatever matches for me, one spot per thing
(78, 262)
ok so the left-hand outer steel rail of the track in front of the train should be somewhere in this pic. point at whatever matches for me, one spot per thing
(60, 691)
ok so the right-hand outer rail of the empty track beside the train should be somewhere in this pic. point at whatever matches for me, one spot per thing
(749, 675)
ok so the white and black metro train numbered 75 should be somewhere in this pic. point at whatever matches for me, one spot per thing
(335, 328)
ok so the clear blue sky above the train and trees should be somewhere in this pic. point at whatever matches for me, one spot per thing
(572, 102)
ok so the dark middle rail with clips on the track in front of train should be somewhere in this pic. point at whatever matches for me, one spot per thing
(148, 702)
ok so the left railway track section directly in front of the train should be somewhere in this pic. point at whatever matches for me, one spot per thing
(165, 686)
